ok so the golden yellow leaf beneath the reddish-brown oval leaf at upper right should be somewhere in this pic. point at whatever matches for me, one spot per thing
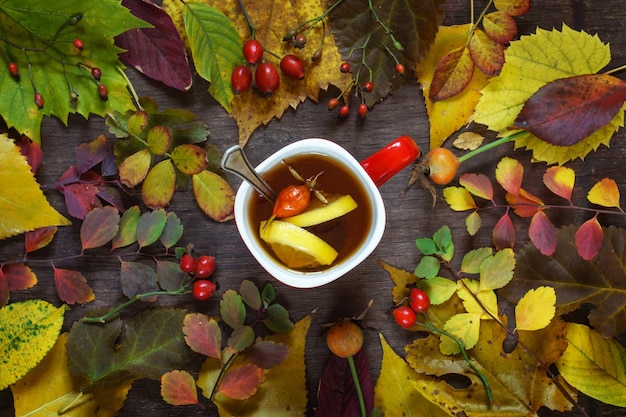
(448, 116)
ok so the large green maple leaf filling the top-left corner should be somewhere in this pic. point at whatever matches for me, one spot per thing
(40, 43)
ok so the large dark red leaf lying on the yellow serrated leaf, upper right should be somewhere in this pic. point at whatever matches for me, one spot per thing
(567, 110)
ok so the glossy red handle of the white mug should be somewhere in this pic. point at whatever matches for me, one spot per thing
(391, 159)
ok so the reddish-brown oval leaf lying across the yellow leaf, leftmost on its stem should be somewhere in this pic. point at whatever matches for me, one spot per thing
(453, 73)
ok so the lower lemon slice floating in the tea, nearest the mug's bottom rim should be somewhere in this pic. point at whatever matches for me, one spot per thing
(296, 247)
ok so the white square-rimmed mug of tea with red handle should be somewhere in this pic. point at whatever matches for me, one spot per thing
(335, 173)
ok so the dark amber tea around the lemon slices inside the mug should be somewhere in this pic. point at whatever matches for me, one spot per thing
(346, 233)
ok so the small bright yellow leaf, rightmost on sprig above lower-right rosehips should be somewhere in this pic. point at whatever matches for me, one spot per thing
(536, 309)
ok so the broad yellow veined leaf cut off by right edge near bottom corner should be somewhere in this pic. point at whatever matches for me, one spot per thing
(594, 365)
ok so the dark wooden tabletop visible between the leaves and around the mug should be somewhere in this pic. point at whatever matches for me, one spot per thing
(410, 215)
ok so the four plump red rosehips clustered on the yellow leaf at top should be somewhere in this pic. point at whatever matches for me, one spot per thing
(266, 78)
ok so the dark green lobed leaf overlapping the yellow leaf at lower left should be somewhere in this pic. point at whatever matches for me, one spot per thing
(153, 345)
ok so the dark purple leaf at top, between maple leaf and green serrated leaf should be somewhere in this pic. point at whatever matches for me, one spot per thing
(157, 52)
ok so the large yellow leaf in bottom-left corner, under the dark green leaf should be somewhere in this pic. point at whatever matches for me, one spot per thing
(50, 387)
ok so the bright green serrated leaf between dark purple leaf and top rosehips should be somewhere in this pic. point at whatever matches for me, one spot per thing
(215, 46)
